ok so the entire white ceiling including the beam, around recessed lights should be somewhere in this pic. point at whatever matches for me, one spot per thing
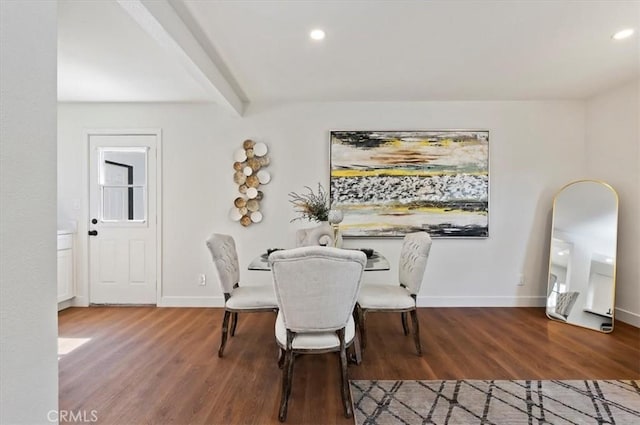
(236, 52)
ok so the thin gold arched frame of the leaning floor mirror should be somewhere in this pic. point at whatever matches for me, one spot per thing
(615, 259)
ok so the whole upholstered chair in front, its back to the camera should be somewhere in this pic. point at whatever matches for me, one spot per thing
(316, 289)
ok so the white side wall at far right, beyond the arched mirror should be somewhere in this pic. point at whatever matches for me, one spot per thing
(613, 146)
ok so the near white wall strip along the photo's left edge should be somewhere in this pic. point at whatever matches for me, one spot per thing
(28, 313)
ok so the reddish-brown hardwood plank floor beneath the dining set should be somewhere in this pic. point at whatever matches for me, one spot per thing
(160, 365)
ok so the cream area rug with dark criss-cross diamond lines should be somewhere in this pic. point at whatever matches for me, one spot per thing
(499, 402)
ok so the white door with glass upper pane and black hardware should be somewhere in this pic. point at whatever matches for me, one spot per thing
(122, 218)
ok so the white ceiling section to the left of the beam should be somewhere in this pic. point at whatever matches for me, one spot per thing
(104, 56)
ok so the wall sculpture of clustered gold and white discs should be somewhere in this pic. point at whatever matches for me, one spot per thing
(249, 174)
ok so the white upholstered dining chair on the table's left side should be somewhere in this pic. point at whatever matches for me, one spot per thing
(236, 298)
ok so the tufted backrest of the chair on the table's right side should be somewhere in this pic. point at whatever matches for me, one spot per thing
(413, 260)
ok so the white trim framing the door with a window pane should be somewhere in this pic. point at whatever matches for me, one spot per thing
(83, 287)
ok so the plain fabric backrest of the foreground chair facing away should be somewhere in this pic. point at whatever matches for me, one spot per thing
(317, 287)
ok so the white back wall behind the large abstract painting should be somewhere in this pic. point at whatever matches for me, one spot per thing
(535, 148)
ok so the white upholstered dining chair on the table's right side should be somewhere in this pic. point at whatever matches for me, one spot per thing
(400, 298)
